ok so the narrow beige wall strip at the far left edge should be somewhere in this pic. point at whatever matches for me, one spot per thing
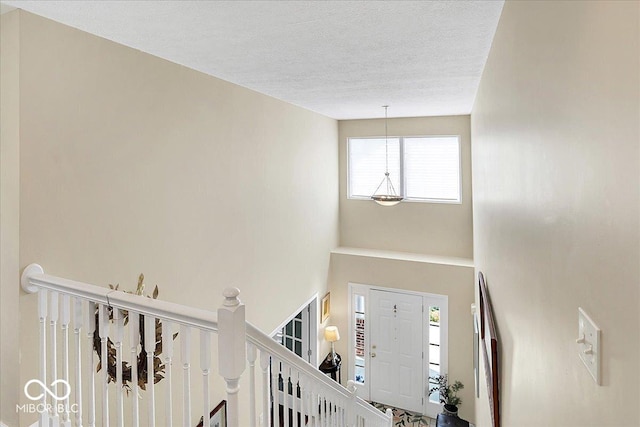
(9, 215)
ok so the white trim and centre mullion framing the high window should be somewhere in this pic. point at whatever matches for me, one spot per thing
(402, 174)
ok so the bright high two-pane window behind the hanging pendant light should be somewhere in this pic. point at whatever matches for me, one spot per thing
(422, 169)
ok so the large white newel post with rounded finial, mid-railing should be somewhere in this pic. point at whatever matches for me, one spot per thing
(232, 349)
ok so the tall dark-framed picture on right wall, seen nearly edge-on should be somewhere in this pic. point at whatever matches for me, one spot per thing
(489, 340)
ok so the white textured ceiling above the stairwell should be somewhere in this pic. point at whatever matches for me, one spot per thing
(343, 59)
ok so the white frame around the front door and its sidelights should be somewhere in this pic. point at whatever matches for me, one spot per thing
(364, 391)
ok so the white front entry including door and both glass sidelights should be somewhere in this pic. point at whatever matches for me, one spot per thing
(397, 340)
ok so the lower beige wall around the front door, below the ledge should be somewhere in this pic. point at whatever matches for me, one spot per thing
(454, 281)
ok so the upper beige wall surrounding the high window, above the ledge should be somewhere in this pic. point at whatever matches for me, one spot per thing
(425, 228)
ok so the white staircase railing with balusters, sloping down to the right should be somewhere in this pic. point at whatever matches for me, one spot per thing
(292, 392)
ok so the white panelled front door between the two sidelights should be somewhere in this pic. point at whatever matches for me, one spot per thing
(396, 349)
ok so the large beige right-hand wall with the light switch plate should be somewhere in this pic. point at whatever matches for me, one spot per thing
(556, 208)
